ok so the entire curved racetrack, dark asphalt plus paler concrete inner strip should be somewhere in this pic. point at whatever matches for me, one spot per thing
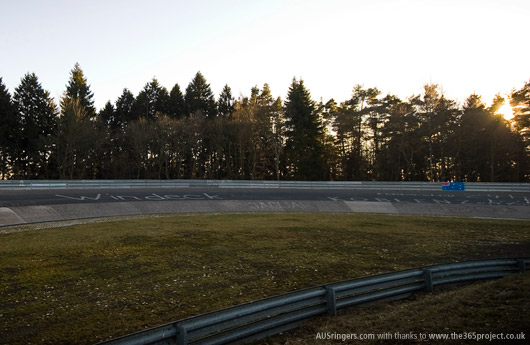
(34, 206)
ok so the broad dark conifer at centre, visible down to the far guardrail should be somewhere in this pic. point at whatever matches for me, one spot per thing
(304, 147)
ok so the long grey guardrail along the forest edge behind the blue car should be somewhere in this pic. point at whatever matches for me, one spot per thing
(362, 185)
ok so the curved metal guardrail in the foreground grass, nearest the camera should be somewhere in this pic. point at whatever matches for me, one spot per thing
(259, 319)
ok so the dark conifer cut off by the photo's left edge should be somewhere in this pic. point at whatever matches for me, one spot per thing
(7, 130)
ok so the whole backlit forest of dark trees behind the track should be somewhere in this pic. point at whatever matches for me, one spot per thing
(191, 134)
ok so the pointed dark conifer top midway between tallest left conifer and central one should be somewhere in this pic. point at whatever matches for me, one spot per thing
(199, 97)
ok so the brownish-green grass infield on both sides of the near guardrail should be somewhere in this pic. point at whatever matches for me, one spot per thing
(87, 283)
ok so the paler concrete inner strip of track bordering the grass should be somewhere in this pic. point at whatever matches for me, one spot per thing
(18, 215)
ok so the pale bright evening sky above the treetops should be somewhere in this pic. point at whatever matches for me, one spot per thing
(465, 46)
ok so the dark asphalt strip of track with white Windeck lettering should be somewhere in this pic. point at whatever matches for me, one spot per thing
(79, 196)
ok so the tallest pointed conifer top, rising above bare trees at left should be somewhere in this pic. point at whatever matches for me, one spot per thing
(78, 89)
